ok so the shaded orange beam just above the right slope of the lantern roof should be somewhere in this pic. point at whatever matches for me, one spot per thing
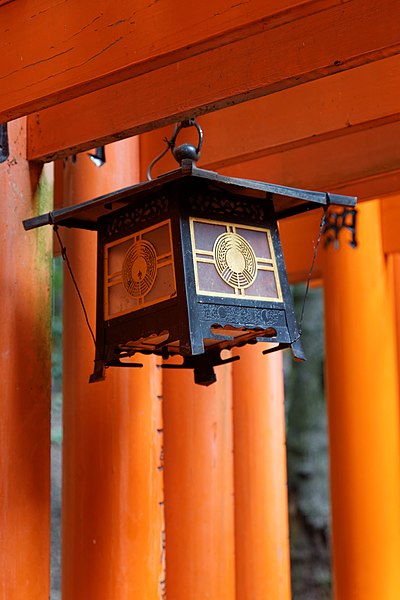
(364, 164)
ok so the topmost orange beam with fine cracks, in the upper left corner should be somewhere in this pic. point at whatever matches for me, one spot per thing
(53, 51)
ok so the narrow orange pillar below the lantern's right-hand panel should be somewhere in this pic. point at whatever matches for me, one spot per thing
(261, 505)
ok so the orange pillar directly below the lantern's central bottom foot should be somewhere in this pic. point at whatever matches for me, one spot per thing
(198, 487)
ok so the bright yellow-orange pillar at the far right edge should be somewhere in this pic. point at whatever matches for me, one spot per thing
(363, 412)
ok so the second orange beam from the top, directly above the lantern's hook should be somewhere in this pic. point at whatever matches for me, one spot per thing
(336, 39)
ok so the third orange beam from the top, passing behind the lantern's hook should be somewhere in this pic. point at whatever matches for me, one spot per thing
(320, 110)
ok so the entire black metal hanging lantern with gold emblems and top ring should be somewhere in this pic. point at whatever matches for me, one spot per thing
(191, 264)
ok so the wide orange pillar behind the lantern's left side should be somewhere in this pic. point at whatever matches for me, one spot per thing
(112, 448)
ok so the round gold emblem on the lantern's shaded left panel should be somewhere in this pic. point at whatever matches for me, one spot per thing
(139, 269)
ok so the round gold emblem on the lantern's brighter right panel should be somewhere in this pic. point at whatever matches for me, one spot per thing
(235, 260)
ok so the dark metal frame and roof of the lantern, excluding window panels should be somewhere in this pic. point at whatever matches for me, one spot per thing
(182, 198)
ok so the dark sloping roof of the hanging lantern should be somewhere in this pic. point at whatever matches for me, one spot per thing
(287, 201)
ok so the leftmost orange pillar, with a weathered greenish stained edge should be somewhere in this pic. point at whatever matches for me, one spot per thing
(25, 270)
